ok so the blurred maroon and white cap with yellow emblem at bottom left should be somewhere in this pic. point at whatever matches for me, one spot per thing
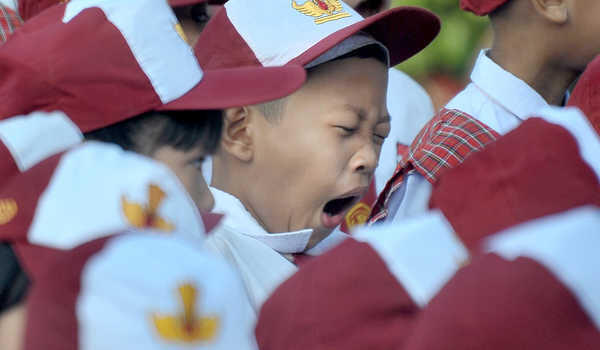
(139, 290)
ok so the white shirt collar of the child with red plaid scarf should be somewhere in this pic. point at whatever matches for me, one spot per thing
(504, 88)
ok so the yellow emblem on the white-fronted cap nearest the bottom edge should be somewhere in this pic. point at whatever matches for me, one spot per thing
(187, 326)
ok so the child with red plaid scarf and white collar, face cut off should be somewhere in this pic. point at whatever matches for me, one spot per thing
(539, 48)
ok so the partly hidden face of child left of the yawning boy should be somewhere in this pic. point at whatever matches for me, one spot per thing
(187, 165)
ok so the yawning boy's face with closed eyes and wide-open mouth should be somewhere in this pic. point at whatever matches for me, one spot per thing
(318, 160)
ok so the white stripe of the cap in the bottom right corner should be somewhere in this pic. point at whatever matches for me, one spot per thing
(567, 244)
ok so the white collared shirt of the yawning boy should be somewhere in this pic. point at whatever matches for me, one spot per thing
(255, 253)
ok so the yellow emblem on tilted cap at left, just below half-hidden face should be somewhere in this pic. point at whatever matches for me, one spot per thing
(146, 216)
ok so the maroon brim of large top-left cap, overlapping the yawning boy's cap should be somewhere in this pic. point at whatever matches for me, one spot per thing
(224, 88)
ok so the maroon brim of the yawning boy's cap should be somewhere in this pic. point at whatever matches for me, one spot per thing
(404, 30)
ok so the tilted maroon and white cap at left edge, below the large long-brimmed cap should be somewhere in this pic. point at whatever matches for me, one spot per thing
(93, 190)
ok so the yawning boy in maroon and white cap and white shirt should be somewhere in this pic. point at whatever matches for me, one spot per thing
(288, 170)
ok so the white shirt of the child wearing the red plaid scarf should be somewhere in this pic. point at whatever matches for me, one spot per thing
(495, 97)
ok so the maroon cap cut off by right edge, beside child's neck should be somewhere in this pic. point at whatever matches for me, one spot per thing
(586, 95)
